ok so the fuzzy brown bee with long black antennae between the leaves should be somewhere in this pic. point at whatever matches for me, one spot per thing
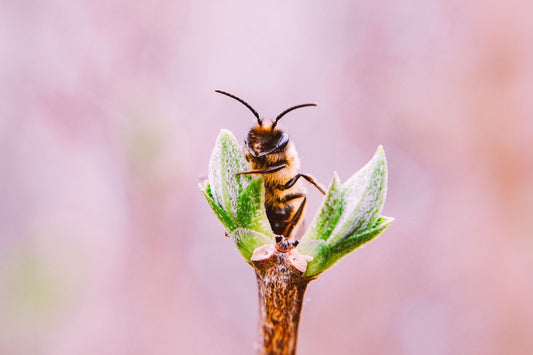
(271, 154)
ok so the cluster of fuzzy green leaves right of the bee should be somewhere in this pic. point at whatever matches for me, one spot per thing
(349, 216)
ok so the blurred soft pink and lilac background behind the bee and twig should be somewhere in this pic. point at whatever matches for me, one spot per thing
(108, 118)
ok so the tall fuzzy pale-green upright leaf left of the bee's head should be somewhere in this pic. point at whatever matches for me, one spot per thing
(226, 161)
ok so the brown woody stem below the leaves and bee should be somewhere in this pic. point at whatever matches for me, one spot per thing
(281, 291)
